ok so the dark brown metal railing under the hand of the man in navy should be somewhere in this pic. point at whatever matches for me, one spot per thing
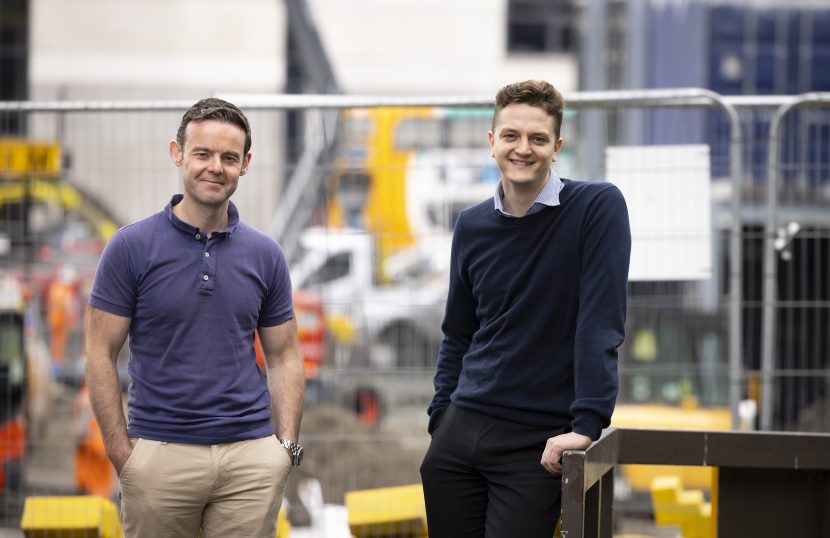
(769, 484)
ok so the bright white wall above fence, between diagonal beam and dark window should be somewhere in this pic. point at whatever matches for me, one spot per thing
(429, 47)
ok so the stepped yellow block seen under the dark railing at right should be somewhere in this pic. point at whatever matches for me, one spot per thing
(685, 508)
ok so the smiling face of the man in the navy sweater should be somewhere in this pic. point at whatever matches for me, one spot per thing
(524, 144)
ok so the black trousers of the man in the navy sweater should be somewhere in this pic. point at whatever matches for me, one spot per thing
(482, 478)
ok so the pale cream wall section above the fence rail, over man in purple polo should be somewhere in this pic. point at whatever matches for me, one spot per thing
(153, 46)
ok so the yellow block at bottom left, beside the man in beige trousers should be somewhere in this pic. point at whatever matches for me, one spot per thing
(82, 516)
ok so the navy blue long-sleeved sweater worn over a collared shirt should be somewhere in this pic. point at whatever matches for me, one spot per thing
(536, 311)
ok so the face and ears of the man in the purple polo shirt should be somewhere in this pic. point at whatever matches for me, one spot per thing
(212, 161)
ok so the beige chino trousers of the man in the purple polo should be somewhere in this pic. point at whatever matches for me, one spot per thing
(177, 490)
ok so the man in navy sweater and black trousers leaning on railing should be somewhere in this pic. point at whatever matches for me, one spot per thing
(535, 313)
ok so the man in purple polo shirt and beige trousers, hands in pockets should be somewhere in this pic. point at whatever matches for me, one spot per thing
(209, 441)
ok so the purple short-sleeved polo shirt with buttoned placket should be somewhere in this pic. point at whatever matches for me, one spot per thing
(194, 304)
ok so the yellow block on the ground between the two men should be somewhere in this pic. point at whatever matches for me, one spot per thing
(394, 511)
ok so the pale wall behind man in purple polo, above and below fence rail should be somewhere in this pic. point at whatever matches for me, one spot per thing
(154, 49)
